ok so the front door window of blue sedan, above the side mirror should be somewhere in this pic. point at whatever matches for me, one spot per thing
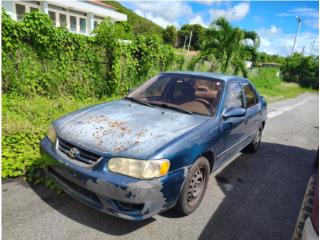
(234, 96)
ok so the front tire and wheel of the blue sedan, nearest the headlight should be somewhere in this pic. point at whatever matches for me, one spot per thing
(194, 187)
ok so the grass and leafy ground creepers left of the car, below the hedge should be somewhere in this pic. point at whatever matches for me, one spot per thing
(24, 124)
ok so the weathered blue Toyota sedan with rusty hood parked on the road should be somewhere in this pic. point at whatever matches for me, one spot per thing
(154, 149)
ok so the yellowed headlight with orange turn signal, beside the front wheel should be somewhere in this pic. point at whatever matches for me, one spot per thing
(142, 169)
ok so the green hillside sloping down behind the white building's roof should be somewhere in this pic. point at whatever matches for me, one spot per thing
(140, 25)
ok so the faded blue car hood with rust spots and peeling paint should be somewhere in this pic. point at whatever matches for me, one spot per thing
(125, 128)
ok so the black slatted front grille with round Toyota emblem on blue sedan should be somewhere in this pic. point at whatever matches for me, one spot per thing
(84, 155)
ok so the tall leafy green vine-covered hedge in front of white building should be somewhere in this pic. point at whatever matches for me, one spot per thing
(39, 59)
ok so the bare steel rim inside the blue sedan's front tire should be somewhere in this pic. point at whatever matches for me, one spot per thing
(196, 187)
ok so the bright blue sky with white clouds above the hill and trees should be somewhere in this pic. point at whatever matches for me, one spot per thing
(275, 21)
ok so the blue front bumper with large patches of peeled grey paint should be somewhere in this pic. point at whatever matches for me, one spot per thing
(109, 192)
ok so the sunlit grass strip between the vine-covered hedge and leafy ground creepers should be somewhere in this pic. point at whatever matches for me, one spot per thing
(22, 114)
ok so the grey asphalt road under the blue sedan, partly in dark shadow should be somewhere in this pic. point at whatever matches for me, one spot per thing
(257, 196)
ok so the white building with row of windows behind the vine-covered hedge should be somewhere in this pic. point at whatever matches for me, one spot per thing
(77, 16)
